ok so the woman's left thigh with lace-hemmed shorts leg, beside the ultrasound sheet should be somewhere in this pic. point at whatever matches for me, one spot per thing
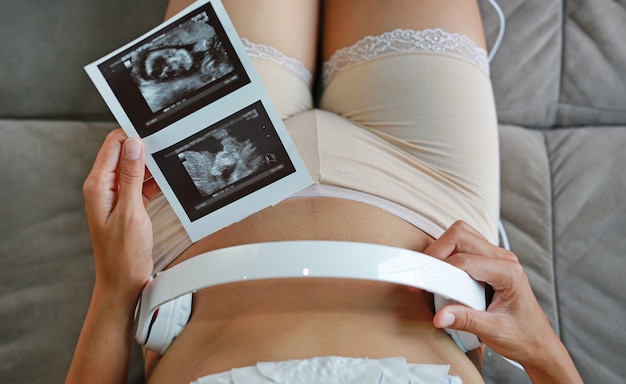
(282, 42)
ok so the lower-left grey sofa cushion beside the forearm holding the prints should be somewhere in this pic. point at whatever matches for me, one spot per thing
(47, 274)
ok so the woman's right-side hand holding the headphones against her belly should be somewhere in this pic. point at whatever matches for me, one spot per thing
(514, 325)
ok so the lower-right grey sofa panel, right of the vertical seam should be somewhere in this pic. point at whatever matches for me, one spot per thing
(589, 225)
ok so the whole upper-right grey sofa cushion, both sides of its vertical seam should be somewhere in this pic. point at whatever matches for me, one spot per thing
(562, 62)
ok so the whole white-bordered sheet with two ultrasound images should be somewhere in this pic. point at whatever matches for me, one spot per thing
(214, 141)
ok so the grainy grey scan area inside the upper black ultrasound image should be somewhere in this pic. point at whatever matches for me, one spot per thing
(173, 66)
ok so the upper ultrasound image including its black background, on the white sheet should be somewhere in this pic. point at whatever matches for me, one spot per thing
(175, 71)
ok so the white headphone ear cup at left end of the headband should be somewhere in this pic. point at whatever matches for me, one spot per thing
(168, 322)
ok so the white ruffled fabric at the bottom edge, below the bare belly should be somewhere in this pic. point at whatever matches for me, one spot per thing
(336, 370)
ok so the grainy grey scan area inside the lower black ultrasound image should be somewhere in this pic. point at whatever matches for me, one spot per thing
(221, 160)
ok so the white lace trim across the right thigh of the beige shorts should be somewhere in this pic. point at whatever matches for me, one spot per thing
(401, 40)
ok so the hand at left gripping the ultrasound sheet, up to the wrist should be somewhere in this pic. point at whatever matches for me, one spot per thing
(121, 232)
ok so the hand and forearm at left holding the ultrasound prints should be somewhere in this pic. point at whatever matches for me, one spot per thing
(121, 234)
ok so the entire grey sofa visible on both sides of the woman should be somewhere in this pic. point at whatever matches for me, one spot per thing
(560, 85)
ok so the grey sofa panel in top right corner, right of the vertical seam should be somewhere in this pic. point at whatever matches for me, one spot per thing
(593, 85)
